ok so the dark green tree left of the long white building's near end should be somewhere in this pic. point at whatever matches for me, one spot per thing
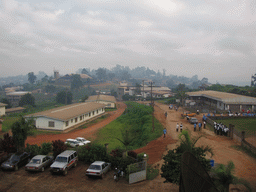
(20, 131)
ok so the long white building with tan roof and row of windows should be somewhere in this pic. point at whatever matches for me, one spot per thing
(68, 116)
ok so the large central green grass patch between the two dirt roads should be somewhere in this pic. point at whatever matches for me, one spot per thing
(134, 126)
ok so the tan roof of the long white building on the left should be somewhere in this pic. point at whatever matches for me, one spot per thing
(69, 111)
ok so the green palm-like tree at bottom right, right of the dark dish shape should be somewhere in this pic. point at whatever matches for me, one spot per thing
(223, 176)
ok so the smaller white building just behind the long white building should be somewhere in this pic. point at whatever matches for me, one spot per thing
(108, 100)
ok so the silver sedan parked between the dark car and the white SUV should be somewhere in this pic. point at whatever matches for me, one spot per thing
(39, 163)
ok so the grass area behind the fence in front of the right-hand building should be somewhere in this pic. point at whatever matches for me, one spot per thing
(241, 124)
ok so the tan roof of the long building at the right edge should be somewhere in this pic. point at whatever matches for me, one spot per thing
(228, 98)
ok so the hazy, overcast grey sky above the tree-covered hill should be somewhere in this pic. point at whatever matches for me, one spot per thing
(211, 38)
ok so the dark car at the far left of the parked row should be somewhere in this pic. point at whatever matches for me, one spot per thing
(16, 160)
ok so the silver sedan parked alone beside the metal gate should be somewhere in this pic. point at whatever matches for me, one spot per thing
(98, 168)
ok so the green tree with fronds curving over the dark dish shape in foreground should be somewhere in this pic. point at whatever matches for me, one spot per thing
(171, 168)
